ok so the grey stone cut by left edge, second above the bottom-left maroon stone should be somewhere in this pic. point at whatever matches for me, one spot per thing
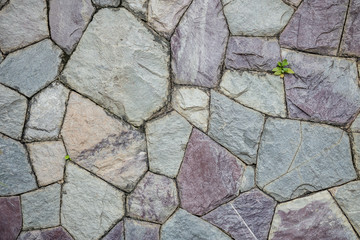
(12, 112)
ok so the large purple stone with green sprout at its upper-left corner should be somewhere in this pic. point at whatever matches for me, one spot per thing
(323, 89)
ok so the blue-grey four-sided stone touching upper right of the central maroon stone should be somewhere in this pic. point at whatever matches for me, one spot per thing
(236, 127)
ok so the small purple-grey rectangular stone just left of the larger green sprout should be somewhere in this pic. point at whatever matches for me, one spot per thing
(252, 53)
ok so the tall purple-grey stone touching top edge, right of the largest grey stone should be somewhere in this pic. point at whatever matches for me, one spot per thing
(198, 44)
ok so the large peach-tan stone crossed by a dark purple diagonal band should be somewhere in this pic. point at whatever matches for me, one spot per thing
(102, 144)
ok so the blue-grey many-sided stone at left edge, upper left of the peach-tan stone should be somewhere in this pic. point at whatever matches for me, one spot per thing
(32, 68)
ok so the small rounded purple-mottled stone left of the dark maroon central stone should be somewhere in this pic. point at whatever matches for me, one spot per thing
(154, 199)
